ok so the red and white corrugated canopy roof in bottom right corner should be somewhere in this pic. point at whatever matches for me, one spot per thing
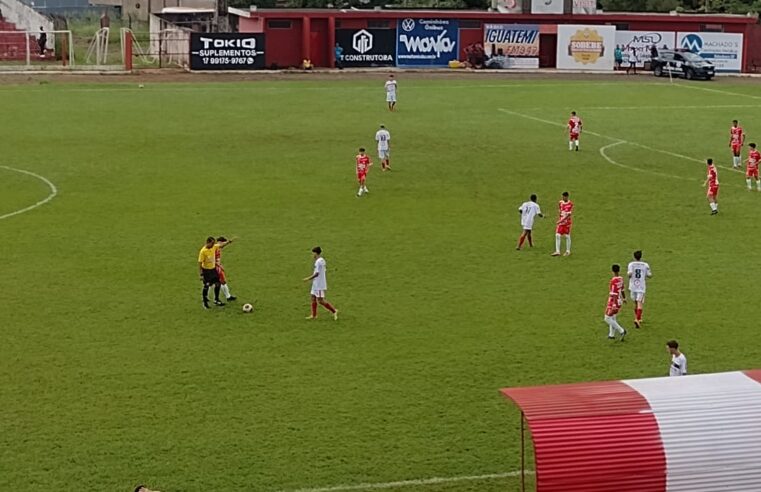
(697, 433)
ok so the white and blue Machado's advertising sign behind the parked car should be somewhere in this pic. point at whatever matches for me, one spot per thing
(722, 49)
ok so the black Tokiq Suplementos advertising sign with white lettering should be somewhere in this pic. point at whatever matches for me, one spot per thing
(226, 51)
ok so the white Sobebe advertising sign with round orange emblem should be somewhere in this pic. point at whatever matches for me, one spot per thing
(586, 47)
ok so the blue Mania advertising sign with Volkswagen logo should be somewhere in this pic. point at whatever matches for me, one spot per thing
(427, 42)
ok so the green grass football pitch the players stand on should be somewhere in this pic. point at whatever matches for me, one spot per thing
(111, 374)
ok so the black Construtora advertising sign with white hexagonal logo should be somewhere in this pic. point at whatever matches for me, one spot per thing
(367, 47)
